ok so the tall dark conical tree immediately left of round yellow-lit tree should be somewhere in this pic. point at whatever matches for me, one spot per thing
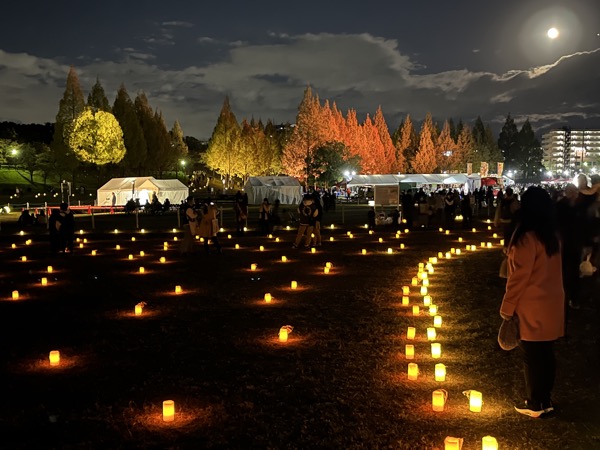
(71, 105)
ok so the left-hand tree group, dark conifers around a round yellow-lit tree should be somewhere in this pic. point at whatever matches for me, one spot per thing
(129, 137)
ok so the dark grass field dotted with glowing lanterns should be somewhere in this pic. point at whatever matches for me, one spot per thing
(339, 382)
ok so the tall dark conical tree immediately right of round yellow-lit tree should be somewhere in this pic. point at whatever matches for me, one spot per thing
(133, 134)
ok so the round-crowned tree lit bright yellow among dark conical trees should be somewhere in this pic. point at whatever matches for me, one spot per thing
(96, 137)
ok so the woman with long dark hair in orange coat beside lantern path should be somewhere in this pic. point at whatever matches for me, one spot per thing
(534, 293)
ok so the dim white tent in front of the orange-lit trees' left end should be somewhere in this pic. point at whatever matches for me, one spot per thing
(285, 189)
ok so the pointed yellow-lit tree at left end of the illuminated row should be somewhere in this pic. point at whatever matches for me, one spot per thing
(224, 145)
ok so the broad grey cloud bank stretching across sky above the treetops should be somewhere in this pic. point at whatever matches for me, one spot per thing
(267, 80)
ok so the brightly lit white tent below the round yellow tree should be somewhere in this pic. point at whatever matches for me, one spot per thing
(141, 188)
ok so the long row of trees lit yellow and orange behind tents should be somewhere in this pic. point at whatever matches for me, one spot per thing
(323, 143)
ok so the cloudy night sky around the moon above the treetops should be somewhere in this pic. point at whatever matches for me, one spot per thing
(456, 59)
